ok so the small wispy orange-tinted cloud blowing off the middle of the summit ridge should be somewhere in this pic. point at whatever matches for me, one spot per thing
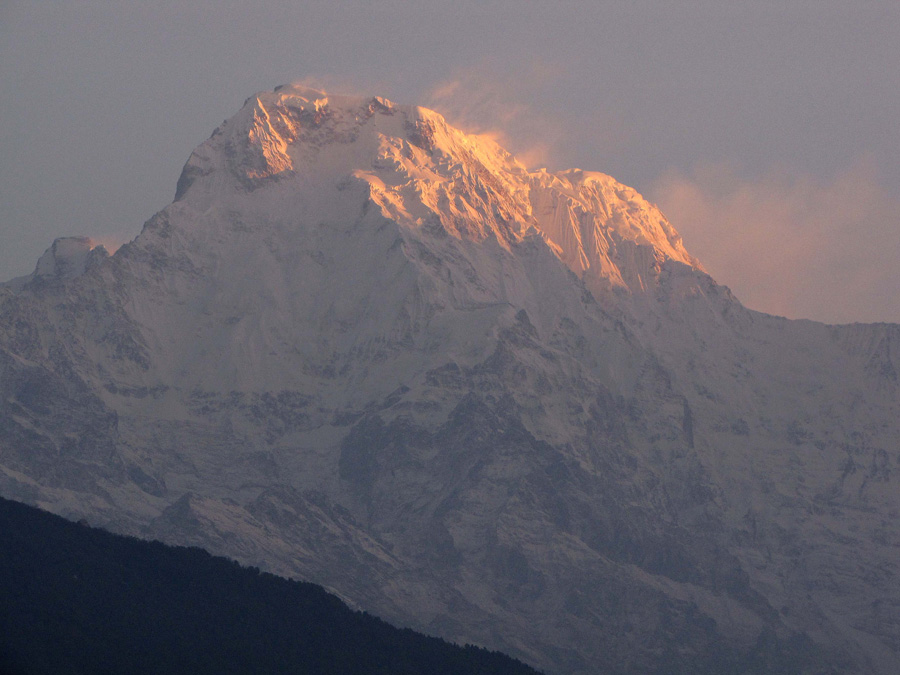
(502, 107)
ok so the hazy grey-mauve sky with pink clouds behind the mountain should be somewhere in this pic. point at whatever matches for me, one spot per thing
(767, 131)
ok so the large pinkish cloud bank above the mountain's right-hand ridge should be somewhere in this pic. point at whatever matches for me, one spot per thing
(795, 246)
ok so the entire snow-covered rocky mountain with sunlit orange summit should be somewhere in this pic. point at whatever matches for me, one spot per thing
(507, 407)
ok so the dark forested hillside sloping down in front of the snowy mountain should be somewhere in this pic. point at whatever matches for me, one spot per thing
(79, 600)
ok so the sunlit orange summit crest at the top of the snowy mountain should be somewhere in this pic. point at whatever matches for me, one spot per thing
(314, 150)
